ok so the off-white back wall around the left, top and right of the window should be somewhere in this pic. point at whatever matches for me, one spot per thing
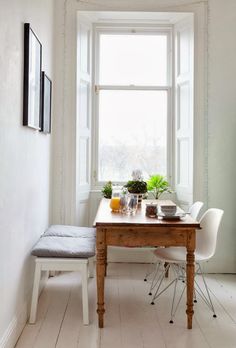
(219, 110)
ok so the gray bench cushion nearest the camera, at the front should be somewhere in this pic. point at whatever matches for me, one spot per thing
(64, 247)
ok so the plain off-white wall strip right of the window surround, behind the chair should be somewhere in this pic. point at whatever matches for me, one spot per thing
(222, 127)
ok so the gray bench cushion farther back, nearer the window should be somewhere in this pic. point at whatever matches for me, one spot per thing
(70, 231)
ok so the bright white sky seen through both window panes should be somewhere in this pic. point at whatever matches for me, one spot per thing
(132, 117)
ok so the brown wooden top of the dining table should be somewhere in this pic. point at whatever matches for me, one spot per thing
(105, 217)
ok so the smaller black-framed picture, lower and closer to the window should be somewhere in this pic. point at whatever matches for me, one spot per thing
(46, 103)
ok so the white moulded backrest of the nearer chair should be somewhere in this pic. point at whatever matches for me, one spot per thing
(206, 238)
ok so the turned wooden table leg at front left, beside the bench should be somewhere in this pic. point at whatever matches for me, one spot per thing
(101, 251)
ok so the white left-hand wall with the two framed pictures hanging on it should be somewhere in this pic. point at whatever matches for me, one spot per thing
(24, 163)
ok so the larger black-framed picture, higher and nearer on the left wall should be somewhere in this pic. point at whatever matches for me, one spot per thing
(32, 79)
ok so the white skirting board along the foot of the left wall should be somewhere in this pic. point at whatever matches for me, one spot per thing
(17, 324)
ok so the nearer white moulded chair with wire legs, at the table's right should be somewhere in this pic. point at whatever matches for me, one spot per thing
(206, 239)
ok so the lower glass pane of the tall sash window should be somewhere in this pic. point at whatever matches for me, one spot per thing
(132, 133)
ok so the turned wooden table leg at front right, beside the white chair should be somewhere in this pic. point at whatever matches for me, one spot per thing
(190, 258)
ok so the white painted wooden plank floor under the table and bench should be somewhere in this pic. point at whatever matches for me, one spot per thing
(130, 321)
